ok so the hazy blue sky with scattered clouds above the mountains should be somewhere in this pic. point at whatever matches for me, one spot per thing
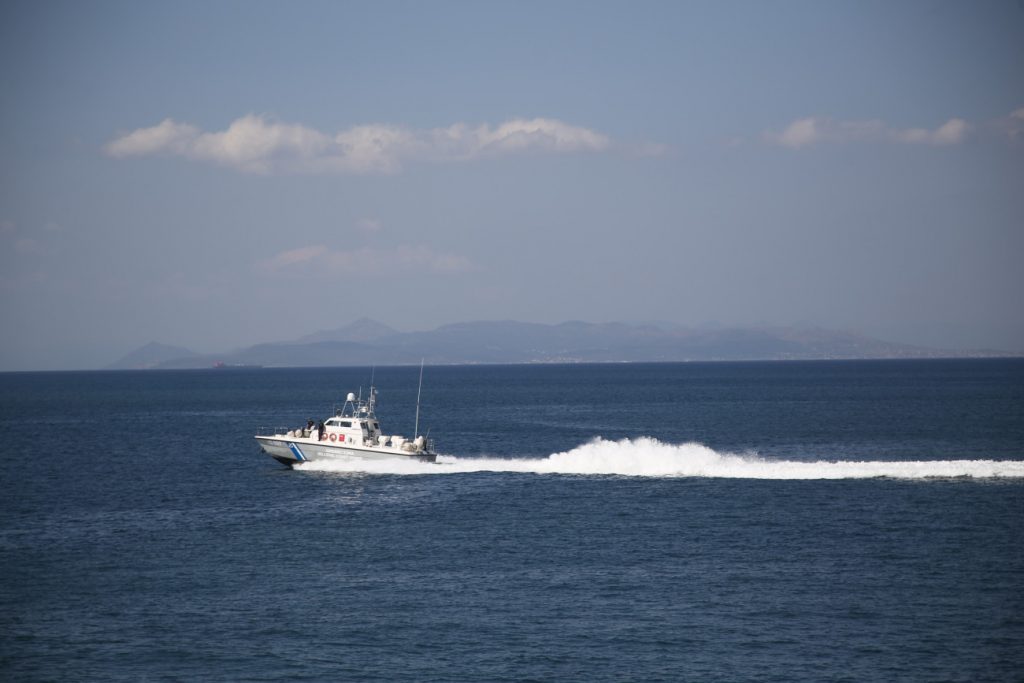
(220, 175)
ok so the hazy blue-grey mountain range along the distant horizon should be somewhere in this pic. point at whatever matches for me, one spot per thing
(367, 343)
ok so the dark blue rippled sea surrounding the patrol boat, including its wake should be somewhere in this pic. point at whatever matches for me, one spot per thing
(779, 522)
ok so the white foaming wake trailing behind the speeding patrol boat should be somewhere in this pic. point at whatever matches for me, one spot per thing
(651, 458)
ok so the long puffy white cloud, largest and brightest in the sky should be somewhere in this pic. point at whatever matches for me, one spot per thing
(258, 145)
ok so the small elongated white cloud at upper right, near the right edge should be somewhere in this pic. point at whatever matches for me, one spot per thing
(813, 131)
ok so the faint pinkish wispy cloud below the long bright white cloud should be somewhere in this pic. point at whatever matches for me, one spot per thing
(396, 263)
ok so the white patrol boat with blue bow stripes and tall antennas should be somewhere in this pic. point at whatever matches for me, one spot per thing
(353, 433)
